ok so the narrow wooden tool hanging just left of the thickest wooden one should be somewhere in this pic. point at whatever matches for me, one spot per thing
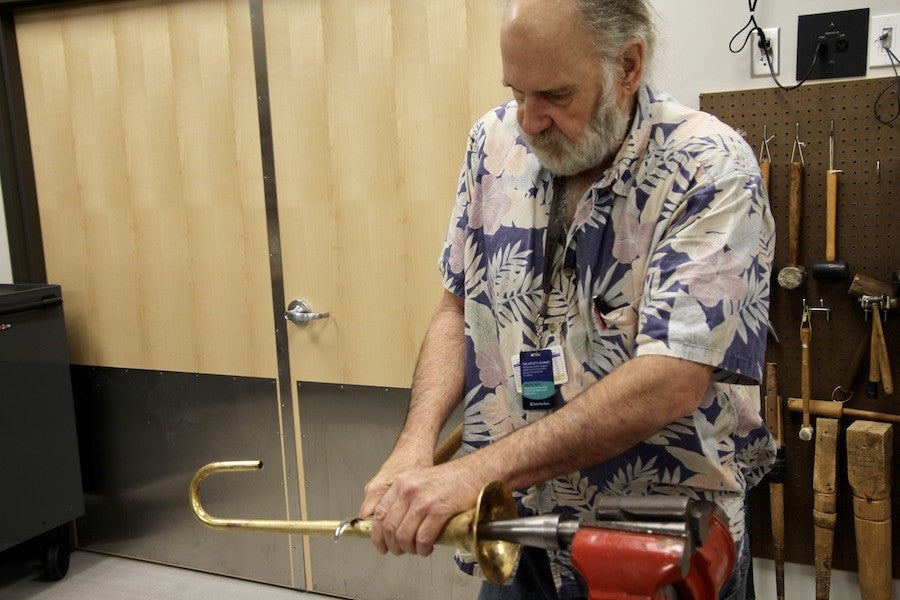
(825, 501)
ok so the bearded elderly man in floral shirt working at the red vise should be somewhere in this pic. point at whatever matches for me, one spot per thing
(605, 312)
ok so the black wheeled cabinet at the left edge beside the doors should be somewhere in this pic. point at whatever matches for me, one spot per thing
(40, 475)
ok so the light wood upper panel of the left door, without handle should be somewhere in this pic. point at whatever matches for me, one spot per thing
(145, 139)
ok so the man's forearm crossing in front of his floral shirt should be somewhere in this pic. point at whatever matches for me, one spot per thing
(626, 407)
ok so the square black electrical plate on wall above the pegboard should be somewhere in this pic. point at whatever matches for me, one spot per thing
(841, 41)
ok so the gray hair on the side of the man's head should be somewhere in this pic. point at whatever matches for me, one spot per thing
(613, 22)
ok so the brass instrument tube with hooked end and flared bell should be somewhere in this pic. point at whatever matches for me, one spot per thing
(495, 558)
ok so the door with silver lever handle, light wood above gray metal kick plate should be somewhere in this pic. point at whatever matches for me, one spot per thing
(371, 106)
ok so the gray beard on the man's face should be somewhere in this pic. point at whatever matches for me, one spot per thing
(598, 143)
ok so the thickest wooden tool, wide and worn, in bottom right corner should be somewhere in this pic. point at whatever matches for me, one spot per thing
(869, 464)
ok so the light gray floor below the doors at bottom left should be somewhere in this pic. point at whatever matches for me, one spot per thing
(94, 576)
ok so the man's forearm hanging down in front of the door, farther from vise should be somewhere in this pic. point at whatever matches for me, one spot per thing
(438, 379)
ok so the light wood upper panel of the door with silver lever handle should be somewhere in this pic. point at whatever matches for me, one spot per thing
(371, 105)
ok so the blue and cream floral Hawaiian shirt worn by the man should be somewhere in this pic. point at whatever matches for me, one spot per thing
(669, 253)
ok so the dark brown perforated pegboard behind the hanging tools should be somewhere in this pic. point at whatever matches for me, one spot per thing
(867, 218)
